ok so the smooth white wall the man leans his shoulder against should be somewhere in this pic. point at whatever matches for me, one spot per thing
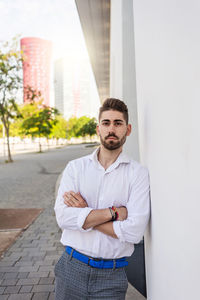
(167, 45)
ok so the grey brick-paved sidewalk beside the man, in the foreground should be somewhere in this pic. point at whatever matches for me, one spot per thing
(27, 268)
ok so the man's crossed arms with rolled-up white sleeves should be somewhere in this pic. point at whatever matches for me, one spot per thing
(73, 213)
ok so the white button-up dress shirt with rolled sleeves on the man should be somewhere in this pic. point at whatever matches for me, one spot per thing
(124, 183)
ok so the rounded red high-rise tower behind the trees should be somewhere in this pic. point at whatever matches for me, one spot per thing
(37, 66)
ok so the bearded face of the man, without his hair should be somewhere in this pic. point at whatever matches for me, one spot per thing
(112, 129)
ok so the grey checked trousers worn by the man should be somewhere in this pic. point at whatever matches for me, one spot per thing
(78, 281)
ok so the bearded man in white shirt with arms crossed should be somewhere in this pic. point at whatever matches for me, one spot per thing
(103, 208)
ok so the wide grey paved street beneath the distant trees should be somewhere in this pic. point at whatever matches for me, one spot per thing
(30, 180)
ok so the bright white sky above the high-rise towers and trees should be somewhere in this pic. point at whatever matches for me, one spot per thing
(54, 20)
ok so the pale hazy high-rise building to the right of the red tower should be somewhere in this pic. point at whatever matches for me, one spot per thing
(75, 88)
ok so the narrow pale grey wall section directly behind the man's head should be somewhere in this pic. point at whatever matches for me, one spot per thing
(122, 65)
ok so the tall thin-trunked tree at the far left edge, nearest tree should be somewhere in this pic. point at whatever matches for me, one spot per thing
(10, 83)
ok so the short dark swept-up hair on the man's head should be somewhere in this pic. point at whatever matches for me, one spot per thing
(114, 104)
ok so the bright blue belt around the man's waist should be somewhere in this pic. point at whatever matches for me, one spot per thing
(97, 262)
